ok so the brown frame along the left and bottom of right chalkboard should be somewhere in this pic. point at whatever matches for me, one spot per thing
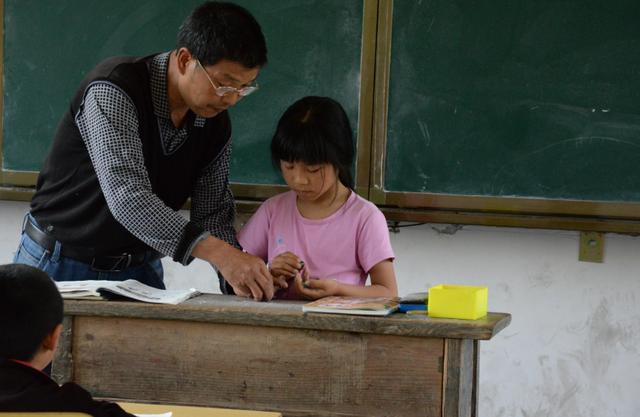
(585, 215)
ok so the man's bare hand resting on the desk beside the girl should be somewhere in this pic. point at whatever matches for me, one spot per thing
(247, 274)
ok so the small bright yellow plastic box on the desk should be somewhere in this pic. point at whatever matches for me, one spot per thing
(458, 301)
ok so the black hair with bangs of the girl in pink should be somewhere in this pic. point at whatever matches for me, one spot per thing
(315, 130)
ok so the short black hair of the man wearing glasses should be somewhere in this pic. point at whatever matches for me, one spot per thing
(216, 30)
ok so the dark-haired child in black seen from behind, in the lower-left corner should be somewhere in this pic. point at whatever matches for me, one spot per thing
(30, 326)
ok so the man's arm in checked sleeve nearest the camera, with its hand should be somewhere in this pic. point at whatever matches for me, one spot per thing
(108, 124)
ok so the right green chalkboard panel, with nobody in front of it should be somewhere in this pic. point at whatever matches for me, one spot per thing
(515, 98)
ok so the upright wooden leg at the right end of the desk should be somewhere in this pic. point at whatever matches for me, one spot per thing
(459, 378)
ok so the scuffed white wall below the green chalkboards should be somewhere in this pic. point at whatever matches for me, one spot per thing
(572, 348)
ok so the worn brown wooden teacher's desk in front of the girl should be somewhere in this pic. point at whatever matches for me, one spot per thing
(224, 351)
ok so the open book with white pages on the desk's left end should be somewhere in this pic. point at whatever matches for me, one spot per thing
(122, 290)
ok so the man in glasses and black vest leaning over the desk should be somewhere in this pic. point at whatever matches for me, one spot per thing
(141, 137)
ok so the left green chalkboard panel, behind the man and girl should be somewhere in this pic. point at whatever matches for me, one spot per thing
(314, 48)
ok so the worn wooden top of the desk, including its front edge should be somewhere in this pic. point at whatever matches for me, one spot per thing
(225, 309)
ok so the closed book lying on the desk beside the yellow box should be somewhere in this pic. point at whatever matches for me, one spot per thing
(368, 306)
